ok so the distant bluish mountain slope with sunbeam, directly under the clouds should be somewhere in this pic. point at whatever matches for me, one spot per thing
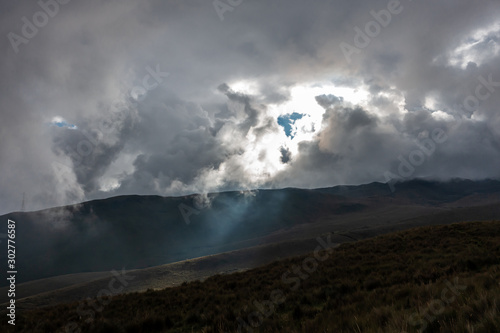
(141, 231)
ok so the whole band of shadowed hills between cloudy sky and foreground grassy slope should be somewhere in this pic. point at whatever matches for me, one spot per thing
(72, 250)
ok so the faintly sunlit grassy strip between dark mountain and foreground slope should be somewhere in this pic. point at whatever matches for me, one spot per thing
(159, 277)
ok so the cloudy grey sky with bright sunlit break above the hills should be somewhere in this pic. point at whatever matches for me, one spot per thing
(172, 97)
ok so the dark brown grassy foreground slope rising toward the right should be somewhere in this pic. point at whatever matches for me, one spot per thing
(390, 283)
